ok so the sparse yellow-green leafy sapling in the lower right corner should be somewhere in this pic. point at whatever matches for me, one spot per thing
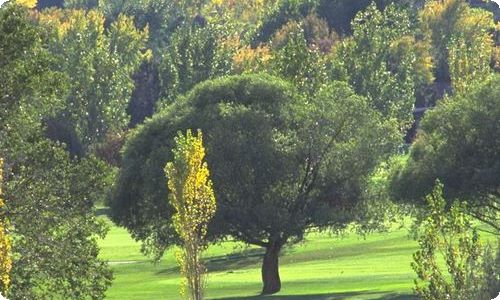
(468, 274)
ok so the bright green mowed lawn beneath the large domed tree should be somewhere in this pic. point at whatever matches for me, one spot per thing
(323, 267)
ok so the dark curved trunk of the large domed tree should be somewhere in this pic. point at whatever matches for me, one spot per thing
(270, 269)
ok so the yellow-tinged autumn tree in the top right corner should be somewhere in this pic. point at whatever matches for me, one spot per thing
(461, 41)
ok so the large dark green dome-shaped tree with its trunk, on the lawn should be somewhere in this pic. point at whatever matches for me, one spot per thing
(280, 164)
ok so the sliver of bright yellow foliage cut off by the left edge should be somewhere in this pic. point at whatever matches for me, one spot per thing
(5, 258)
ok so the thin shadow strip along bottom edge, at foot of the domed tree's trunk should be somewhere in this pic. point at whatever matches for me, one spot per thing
(331, 296)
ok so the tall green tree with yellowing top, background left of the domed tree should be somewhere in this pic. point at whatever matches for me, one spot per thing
(99, 64)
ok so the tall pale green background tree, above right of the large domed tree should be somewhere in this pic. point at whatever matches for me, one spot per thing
(383, 64)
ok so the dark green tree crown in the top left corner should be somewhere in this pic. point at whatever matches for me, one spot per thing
(30, 88)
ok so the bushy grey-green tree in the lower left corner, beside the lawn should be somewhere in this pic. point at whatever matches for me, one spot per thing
(56, 256)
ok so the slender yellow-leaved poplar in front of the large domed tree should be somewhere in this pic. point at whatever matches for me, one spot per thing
(192, 196)
